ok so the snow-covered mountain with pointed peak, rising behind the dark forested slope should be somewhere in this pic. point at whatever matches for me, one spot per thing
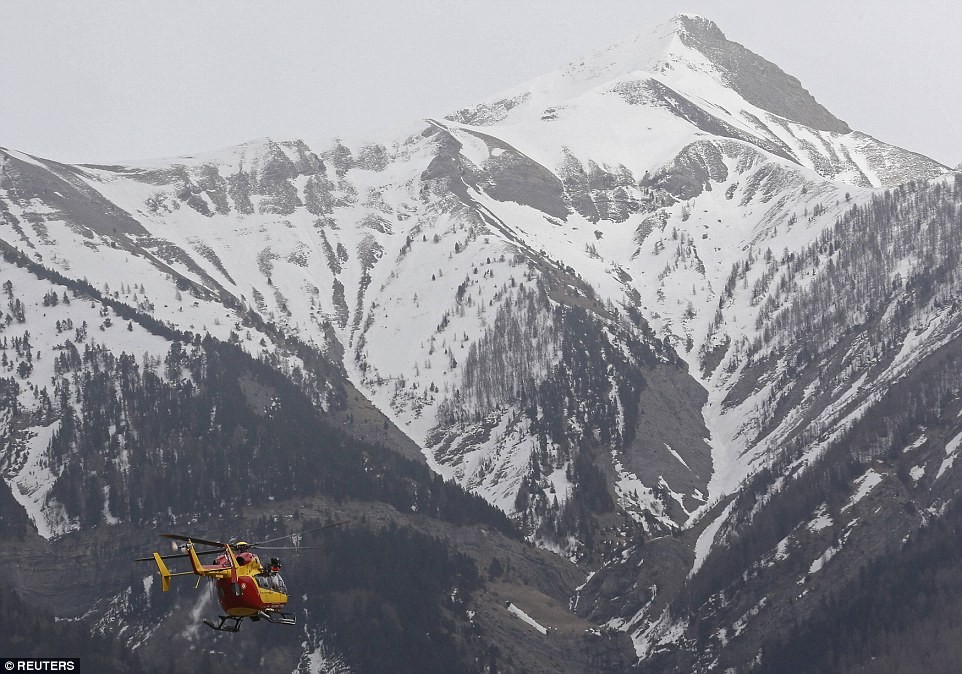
(619, 301)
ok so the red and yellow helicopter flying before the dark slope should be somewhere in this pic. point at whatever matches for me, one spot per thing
(246, 588)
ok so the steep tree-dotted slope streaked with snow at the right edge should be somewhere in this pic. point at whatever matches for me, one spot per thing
(843, 416)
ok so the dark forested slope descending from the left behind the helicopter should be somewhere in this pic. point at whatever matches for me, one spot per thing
(196, 436)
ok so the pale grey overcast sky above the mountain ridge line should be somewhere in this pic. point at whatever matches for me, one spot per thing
(99, 81)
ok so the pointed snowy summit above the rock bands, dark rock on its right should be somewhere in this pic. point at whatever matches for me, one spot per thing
(664, 87)
